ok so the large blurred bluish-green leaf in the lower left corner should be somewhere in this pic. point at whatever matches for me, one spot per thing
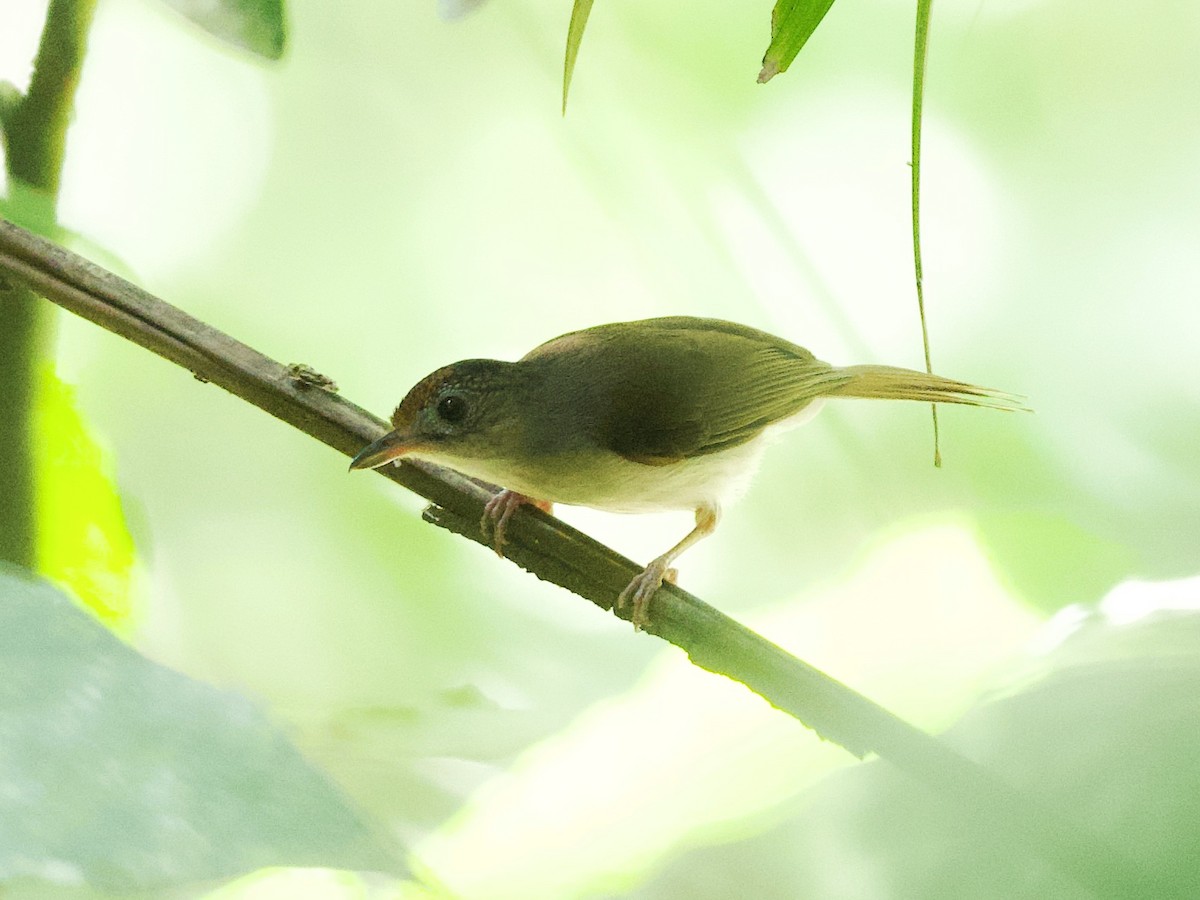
(124, 776)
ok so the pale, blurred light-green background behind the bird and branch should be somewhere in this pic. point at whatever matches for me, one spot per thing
(401, 191)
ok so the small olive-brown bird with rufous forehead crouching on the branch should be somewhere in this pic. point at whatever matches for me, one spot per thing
(634, 417)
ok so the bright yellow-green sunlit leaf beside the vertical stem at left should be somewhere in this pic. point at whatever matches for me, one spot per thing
(82, 538)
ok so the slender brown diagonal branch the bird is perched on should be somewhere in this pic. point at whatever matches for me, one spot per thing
(559, 554)
